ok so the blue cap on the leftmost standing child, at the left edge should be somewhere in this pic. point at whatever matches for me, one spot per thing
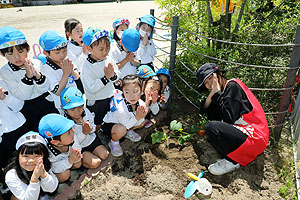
(10, 37)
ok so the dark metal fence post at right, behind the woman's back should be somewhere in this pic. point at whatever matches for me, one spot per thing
(286, 97)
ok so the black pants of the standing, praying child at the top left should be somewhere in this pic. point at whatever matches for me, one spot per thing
(34, 109)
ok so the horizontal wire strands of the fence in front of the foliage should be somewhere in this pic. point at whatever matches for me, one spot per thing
(165, 26)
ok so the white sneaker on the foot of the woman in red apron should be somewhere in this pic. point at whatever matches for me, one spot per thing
(222, 166)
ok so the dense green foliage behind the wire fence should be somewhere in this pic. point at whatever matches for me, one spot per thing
(263, 22)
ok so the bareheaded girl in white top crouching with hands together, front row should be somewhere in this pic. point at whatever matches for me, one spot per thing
(128, 115)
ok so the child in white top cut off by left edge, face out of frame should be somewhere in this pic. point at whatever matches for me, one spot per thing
(12, 124)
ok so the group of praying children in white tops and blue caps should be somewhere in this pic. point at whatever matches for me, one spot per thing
(45, 122)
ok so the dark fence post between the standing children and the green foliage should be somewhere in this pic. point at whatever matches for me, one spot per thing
(174, 26)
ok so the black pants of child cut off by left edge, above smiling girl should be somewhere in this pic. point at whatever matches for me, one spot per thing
(8, 144)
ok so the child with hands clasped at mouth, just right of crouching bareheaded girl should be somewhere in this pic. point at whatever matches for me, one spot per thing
(152, 92)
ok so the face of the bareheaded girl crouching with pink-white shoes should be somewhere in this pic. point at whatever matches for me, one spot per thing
(132, 92)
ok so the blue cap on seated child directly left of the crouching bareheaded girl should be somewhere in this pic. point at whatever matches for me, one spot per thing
(71, 97)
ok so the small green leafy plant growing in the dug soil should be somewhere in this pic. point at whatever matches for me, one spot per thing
(177, 132)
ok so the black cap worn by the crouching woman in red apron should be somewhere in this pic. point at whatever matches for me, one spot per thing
(206, 70)
